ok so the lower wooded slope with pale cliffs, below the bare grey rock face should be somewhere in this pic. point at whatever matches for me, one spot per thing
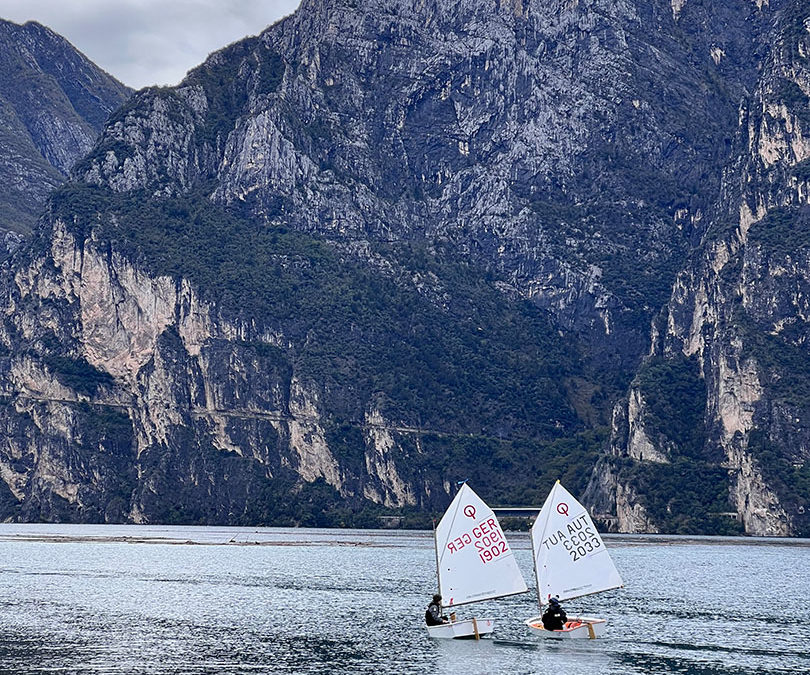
(203, 411)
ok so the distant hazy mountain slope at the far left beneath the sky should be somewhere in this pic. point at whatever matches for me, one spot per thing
(53, 105)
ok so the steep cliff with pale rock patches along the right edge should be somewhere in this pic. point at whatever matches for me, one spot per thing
(729, 350)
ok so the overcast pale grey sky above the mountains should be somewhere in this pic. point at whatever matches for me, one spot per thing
(145, 42)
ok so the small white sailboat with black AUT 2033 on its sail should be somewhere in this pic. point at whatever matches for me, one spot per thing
(570, 560)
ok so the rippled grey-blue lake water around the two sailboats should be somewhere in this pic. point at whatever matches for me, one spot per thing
(130, 599)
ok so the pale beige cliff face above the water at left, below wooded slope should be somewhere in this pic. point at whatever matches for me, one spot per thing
(161, 404)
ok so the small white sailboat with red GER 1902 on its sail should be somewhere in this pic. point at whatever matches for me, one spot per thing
(473, 563)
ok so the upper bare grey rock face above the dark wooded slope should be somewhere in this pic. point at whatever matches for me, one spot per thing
(531, 138)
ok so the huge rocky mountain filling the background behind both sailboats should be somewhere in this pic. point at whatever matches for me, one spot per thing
(388, 245)
